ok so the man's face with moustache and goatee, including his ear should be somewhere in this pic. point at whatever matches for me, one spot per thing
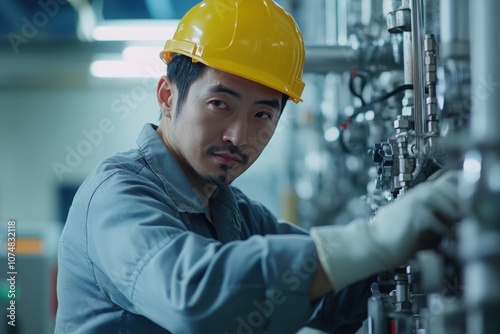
(224, 124)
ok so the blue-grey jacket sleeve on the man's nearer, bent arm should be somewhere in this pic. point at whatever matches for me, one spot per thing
(147, 262)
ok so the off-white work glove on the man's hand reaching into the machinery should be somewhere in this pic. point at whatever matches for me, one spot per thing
(362, 248)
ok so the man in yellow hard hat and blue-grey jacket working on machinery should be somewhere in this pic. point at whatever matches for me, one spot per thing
(157, 241)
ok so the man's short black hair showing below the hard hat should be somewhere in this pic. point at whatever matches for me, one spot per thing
(183, 71)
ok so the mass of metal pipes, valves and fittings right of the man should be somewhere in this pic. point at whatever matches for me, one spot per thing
(408, 88)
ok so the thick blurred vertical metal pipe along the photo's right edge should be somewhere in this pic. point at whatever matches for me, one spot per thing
(480, 232)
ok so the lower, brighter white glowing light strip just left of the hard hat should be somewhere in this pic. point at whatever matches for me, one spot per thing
(124, 69)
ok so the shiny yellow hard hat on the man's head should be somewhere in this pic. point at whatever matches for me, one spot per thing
(255, 39)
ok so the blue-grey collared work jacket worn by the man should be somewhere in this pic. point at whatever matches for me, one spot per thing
(138, 254)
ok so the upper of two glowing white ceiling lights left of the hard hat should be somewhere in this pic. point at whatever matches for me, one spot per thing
(135, 30)
